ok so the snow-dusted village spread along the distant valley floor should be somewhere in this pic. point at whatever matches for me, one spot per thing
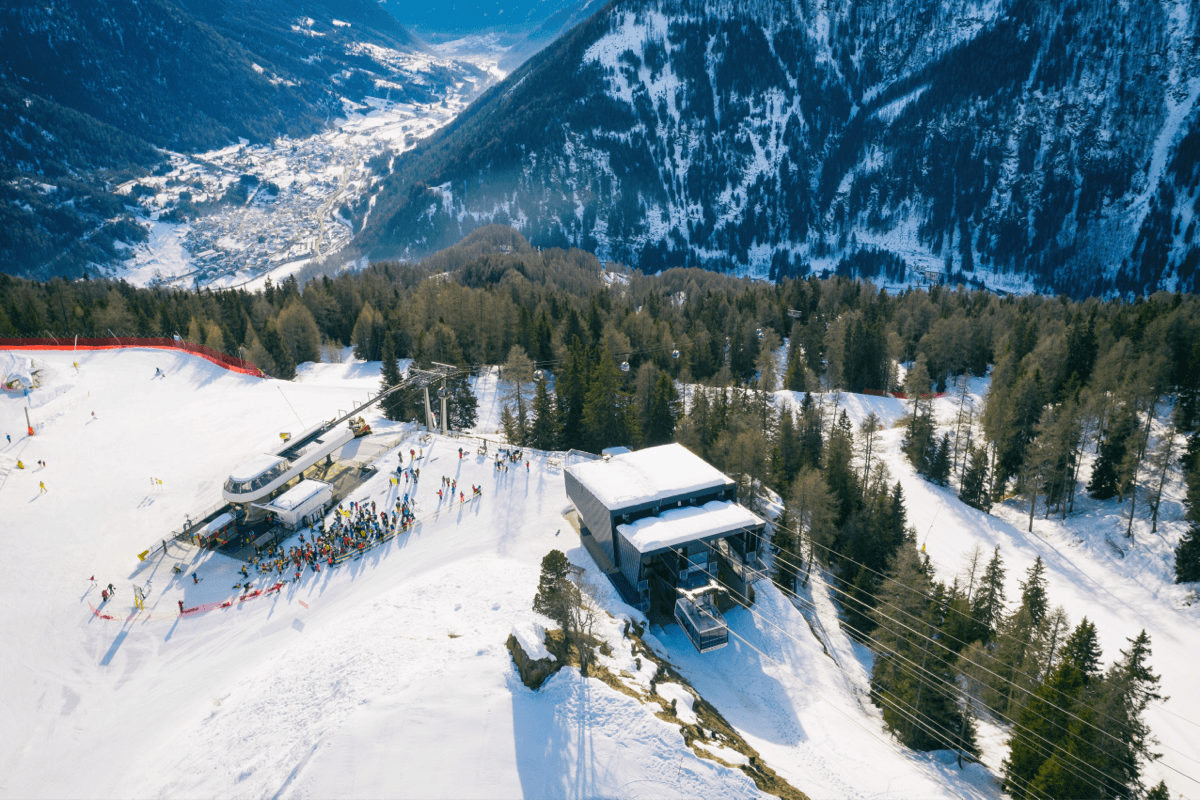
(235, 216)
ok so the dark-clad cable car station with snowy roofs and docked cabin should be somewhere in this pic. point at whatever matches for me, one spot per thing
(680, 544)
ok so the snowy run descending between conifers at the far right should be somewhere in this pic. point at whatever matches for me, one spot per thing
(1093, 570)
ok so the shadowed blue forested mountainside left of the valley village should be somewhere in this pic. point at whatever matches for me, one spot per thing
(91, 93)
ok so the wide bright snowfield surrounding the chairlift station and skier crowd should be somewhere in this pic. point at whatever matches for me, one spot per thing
(394, 682)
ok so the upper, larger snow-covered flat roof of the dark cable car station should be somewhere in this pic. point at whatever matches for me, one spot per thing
(647, 476)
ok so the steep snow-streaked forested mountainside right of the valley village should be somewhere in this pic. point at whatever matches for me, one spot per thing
(1025, 145)
